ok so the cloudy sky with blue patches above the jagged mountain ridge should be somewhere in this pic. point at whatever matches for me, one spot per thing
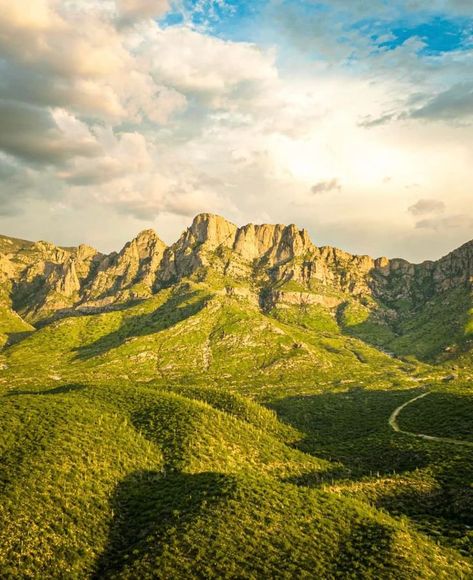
(351, 118)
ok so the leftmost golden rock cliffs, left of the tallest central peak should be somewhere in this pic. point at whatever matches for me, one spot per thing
(43, 279)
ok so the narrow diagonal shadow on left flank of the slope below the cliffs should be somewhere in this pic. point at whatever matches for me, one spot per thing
(176, 309)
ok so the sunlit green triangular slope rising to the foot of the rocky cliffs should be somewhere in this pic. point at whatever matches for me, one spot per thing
(194, 335)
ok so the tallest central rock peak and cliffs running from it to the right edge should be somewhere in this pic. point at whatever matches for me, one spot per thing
(273, 254)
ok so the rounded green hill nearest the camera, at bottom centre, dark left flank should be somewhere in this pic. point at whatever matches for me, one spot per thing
(218, 526)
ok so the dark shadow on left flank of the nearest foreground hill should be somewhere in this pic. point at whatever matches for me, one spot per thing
(150, 508)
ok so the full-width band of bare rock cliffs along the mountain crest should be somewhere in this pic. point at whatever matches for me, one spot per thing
(280, 262)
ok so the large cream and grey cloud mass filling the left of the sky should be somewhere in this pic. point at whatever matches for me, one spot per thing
(86, 103)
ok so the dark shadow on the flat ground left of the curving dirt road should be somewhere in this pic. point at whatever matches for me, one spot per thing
(352, 428)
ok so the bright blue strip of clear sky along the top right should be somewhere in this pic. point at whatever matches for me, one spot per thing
(442, 30)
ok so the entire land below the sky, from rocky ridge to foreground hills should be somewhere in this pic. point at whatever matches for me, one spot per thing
(221, 407)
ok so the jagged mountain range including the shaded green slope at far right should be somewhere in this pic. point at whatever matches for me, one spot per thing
(390, 303)
